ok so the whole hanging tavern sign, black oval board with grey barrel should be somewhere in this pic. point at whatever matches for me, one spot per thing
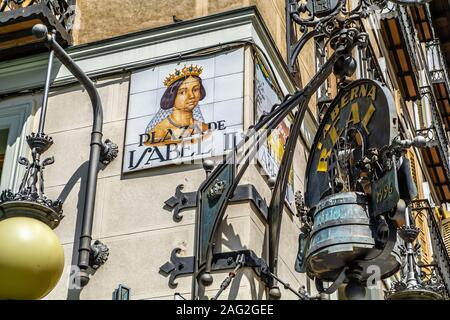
(351, 179)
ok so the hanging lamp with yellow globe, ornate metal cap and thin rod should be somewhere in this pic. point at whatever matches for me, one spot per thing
(23, 213)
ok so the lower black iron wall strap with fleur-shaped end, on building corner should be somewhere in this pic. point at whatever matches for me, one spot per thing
(178, 266)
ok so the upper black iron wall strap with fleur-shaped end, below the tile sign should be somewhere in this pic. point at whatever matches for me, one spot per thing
(188, 200)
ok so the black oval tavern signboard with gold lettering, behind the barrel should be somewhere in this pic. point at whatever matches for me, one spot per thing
(361, 118)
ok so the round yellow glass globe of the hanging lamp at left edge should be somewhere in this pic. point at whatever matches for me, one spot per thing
(31, 259)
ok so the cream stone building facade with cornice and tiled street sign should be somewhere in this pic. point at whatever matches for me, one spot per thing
(237, 53)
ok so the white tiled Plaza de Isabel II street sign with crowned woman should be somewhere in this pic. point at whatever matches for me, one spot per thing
(182, 111)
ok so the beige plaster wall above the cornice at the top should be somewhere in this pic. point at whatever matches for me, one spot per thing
(102, 19)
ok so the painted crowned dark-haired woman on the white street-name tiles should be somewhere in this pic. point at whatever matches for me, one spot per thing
(179, 117)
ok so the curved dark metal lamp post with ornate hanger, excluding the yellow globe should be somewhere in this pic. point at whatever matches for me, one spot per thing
(30, 200)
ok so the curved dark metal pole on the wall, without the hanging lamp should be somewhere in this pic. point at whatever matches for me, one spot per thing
(99, 152)
